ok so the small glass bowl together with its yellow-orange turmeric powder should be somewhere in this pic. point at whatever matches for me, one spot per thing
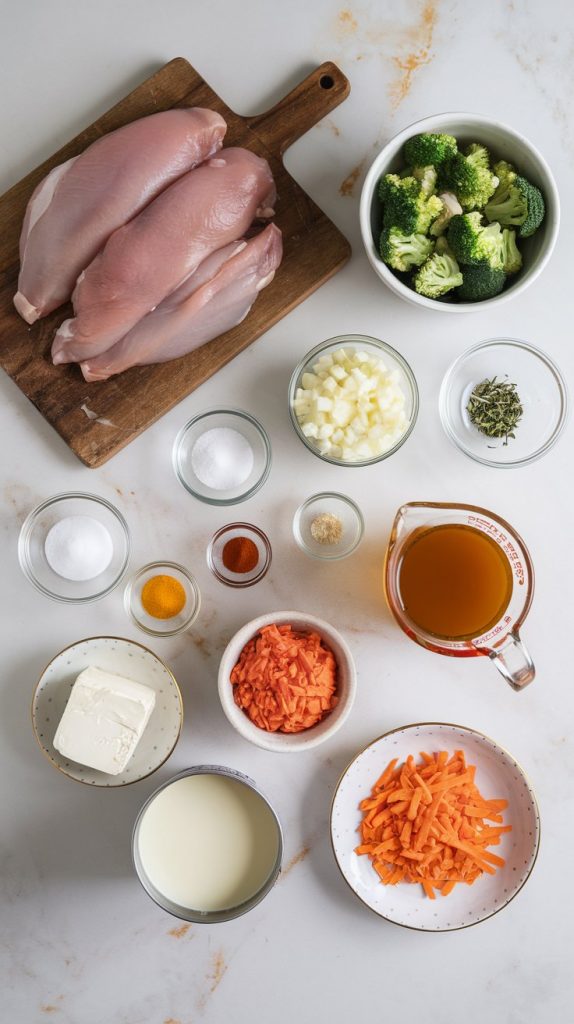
(163, 600)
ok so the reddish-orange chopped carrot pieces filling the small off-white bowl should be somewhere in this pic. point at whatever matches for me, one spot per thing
(286, 681)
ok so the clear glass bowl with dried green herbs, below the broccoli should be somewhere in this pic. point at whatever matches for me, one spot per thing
(504, 403)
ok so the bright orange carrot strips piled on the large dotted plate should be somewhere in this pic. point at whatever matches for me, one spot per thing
(429, 824)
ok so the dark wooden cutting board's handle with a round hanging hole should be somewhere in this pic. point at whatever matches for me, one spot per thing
(313, 100)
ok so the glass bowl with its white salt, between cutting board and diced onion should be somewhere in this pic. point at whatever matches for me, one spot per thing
(223, 456)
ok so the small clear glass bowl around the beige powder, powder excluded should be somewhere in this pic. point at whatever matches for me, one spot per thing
(346, 511)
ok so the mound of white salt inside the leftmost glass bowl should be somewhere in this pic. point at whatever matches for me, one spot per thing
(79, 548)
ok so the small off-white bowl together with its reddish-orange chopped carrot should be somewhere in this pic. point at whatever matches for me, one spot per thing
(287, 681)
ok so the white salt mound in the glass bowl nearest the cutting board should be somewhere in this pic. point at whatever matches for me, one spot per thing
(223, 459)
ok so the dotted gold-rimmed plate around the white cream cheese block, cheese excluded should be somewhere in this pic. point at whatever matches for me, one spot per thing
(126, 659)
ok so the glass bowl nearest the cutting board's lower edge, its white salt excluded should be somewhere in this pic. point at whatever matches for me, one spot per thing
(246, 425)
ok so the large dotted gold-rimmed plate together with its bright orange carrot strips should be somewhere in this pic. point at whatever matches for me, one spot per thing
(435, 827)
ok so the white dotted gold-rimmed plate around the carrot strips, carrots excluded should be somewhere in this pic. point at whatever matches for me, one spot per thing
(499, 777)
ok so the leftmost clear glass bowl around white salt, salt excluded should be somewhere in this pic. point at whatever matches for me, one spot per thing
(33, 537)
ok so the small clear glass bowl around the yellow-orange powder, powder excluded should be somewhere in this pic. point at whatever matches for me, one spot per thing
(162, 627)
